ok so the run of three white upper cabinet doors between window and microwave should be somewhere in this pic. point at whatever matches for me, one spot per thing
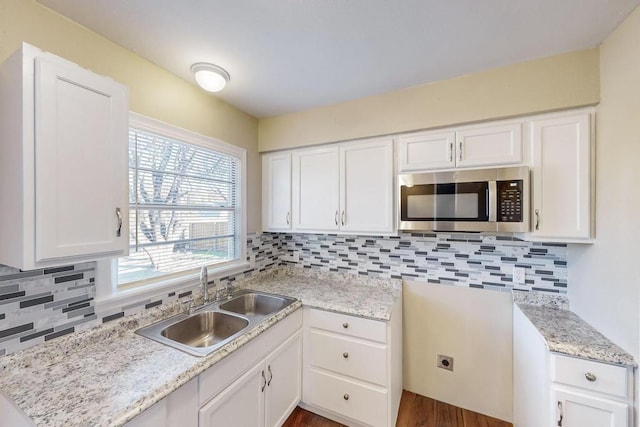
(338, 188)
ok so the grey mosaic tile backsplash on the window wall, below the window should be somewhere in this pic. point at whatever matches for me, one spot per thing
(39, 305)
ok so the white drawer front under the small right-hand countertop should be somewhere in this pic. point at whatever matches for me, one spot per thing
(605, 378)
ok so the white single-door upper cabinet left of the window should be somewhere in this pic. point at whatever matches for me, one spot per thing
(63, 162)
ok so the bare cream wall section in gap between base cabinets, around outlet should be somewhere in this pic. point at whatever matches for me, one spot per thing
(474, 326)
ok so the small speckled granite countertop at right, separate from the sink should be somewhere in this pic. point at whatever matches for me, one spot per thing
(566, 333)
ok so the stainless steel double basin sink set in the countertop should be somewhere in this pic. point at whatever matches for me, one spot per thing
(213, 325)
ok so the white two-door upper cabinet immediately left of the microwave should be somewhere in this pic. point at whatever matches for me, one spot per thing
(345, 187)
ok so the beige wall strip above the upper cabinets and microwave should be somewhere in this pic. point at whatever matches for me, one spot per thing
(554, 83)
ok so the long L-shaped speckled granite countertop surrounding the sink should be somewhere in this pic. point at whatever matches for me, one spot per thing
(107, 375)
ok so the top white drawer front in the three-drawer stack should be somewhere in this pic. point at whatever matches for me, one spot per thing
(374, 330)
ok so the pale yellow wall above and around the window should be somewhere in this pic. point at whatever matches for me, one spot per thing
(154, 92)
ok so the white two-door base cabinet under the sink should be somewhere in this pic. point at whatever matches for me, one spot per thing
(260, 384)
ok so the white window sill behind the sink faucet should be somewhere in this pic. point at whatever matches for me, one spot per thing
(145, 294)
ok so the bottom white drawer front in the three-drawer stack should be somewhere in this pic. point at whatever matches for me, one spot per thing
(367, 405)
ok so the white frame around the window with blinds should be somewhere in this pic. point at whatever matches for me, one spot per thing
(107, 293)
